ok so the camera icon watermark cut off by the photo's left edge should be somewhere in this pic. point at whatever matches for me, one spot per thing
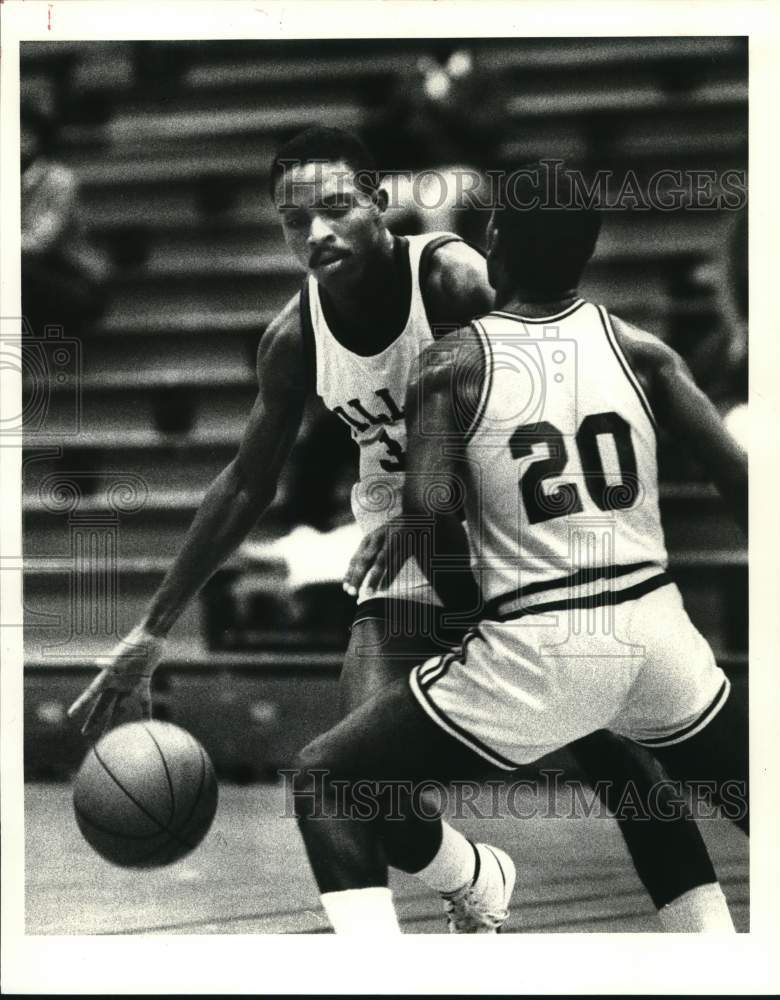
(49, 366)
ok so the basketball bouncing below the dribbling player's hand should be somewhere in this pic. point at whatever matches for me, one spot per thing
(146, 795)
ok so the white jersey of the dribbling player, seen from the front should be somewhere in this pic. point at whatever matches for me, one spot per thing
(368, 394)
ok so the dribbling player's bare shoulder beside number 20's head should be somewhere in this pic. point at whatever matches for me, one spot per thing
(455, 283)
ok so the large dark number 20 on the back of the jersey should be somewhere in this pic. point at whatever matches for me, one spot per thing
(564, 499)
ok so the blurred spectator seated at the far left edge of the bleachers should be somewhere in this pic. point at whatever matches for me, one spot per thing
(62, 273)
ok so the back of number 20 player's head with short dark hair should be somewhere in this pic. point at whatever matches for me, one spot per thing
(547, 230)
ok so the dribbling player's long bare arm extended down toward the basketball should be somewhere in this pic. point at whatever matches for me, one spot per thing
(232, 505)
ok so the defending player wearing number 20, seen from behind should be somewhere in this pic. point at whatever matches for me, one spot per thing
(582, 627)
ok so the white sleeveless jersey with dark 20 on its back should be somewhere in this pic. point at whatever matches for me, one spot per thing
(561, 463)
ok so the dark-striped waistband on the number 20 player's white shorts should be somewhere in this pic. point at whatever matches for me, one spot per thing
(591, 587)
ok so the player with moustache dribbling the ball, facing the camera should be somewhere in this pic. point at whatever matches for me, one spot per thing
(371, 303)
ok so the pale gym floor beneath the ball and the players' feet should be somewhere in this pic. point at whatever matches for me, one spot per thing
(250, 875)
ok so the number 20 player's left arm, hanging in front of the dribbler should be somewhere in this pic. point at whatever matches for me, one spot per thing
(430, 527)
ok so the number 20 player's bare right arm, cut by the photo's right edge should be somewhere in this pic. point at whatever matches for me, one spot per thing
(683, 410)
